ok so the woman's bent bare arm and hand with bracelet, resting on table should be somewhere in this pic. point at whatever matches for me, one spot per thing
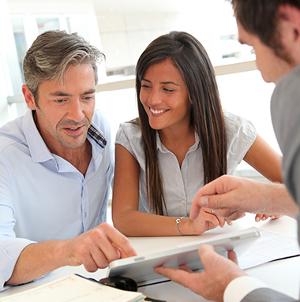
(125, 205)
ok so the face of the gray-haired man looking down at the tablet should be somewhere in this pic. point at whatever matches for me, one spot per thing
(65, 108)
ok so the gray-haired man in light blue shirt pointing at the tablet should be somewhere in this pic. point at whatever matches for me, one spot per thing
(56, 167)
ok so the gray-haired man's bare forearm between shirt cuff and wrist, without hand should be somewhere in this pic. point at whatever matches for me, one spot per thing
(38, 259)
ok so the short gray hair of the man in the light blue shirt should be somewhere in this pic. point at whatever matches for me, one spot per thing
(51, 54)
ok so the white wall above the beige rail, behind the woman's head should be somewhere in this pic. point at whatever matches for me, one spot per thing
(127, 27)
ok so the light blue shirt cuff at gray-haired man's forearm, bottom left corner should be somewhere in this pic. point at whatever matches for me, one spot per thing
(10, 250)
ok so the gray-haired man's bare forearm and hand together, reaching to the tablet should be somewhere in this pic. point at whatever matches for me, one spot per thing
(94, 249)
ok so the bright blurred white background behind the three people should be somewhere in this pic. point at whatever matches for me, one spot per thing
(122, 29)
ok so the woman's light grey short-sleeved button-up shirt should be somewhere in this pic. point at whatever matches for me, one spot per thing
(180, 183)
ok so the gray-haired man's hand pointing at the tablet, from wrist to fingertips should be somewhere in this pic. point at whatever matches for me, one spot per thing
(98, 247)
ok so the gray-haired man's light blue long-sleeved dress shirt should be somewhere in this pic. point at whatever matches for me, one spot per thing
(43, 196)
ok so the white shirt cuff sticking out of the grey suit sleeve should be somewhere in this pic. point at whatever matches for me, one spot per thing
(240, 287)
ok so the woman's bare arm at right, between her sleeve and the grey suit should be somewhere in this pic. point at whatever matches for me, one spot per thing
(265, 160)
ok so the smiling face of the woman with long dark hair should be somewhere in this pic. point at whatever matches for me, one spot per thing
(164, 96)
